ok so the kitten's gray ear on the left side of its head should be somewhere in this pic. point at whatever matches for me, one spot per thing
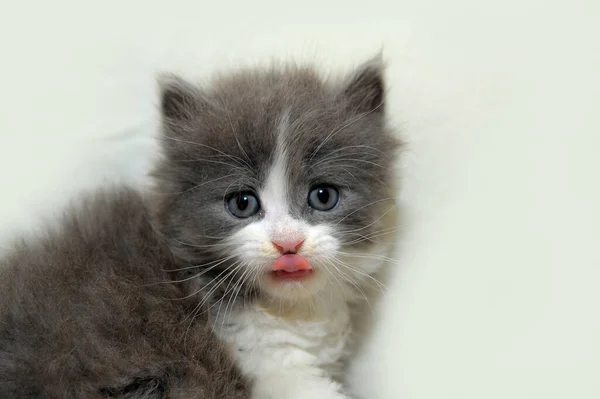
(179, 100)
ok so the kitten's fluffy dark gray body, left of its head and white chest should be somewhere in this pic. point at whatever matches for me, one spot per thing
(85, 313)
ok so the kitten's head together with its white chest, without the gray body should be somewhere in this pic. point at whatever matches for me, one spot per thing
(284, 199)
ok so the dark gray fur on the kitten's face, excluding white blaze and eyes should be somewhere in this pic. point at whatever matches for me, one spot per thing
(221, 139)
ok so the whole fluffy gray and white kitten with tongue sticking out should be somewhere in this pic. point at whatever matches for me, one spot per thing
(272, 210)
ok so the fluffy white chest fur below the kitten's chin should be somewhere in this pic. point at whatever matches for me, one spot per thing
(292, 351)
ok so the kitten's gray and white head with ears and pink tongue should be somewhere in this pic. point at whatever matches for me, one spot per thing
(276, 180)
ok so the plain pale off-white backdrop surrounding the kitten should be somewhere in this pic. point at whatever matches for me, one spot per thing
(498, 287)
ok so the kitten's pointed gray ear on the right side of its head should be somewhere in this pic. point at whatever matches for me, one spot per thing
(365, 89)
